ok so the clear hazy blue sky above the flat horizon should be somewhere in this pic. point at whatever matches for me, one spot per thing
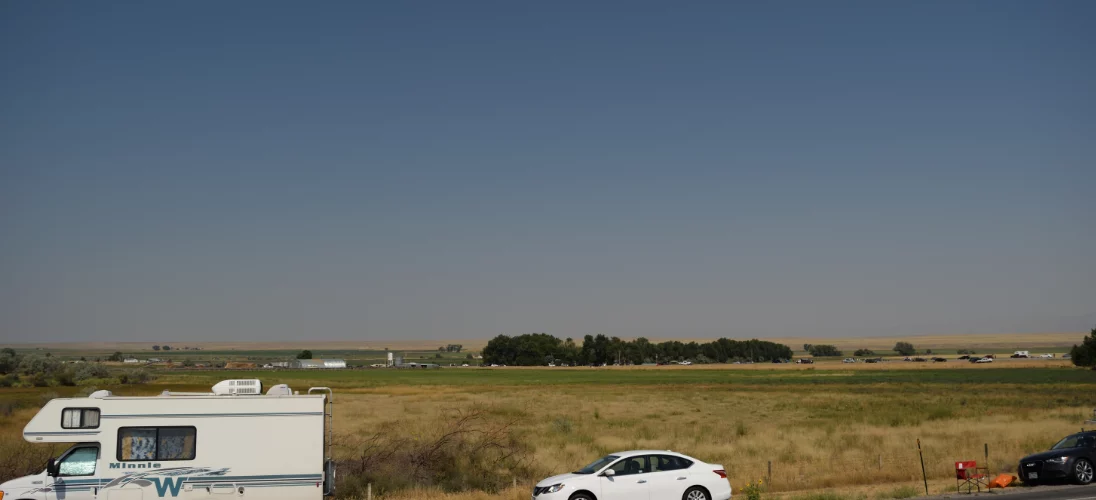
(450, 171)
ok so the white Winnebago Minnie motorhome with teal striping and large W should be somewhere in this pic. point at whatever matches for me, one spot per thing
(235, 442)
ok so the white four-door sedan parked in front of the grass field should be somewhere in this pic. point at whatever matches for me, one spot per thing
(641, 475)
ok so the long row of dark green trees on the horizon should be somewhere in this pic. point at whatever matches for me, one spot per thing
(542, 349)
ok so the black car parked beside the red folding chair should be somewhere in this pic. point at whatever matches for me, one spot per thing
(1072, 459)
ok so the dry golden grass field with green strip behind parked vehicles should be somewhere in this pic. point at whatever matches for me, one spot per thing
(850, 430)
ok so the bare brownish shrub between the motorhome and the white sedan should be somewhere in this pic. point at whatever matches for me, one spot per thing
(467, 451)
